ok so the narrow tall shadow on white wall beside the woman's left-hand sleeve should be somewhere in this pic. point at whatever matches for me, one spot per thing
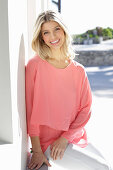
(21, 103)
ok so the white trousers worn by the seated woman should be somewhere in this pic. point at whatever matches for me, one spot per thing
(76, 158)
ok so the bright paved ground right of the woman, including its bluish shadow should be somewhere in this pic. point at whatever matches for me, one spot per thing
(100, 126)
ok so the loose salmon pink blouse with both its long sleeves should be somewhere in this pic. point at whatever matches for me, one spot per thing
(58, 98)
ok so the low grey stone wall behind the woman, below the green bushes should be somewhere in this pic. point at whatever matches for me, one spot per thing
(95, 58)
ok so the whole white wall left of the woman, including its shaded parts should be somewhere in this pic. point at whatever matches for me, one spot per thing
(13, 50)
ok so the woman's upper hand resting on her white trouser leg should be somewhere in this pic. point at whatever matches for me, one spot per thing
(58, 148)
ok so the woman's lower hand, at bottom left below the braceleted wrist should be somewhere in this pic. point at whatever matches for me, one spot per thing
(38, 158)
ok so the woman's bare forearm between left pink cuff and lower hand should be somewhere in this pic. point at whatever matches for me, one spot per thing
(35, 141)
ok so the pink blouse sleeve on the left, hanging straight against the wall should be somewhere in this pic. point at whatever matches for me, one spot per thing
(30, 75)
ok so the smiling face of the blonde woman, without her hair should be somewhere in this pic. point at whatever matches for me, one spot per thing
(53, 35)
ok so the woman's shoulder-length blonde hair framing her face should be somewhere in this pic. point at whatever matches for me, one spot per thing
(38, 44)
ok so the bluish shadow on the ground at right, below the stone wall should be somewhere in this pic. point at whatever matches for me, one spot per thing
(102, 81)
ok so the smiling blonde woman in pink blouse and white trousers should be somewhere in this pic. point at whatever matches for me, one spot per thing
(58, 100)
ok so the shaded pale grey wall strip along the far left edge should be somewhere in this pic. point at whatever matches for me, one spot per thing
(6, 133)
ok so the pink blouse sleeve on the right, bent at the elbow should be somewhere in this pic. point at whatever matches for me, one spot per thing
(76, 129)
